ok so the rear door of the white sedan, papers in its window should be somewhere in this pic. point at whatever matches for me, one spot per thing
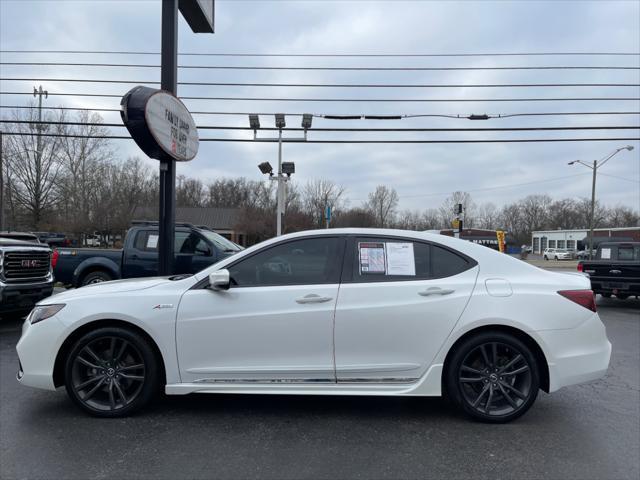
(394, 310)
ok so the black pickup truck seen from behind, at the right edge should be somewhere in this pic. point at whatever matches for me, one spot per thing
(615, 270)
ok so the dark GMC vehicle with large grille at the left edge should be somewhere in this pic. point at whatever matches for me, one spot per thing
(25, 274)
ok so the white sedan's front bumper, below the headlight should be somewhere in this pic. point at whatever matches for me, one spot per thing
(37, 350)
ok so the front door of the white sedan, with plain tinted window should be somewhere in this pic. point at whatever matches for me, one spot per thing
(274, 323)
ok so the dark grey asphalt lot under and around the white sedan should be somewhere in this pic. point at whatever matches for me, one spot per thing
(589, 431)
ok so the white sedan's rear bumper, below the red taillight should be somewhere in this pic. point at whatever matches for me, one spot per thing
(577, 355)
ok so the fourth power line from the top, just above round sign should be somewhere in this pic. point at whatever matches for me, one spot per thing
(371, 100)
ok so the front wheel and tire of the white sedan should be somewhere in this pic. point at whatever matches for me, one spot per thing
(111, 372)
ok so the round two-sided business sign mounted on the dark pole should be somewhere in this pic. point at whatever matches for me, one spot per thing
(160, 124)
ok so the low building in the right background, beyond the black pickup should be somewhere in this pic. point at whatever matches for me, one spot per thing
(578, 239)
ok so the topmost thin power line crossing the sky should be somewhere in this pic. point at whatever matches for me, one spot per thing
(381, 55)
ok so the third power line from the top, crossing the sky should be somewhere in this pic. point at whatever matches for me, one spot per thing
(327, 85)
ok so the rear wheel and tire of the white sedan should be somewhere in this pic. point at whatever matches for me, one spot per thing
(495, 386)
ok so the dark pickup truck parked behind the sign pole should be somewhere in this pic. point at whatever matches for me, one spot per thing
(195, 248)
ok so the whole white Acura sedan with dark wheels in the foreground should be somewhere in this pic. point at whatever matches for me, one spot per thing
(333, 312)
